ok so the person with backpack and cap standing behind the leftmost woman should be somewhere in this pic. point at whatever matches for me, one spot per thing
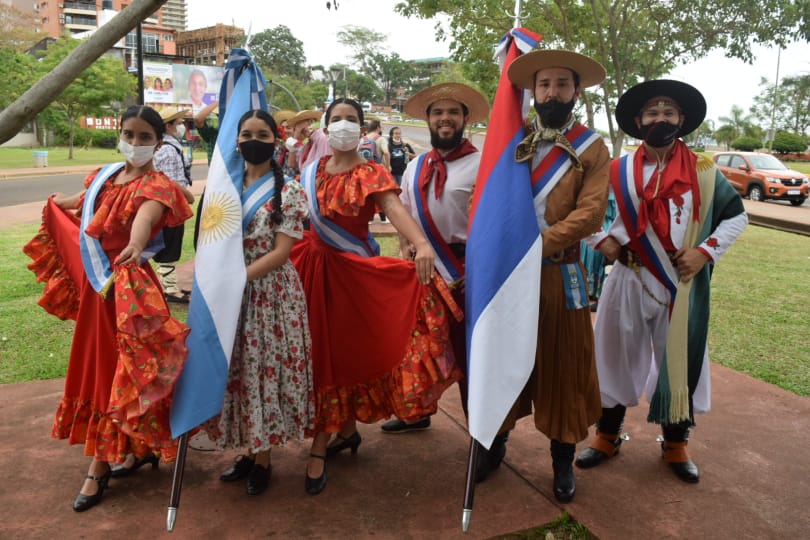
(169, 160)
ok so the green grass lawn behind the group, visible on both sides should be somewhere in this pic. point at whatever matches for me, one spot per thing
(758, 326)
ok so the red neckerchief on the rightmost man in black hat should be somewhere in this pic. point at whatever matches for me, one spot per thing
(678, 177)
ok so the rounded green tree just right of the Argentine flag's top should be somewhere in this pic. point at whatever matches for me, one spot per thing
(279, 53)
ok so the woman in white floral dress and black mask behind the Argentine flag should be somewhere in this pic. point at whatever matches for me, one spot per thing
(268, 396)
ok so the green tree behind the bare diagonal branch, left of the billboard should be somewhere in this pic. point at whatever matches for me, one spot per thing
(94, 90)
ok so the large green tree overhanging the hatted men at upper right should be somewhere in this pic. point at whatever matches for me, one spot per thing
(635, 40)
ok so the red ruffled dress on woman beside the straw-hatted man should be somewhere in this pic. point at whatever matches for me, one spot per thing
(379, 337)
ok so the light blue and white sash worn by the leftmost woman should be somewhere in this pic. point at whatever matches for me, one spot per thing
(97, 265)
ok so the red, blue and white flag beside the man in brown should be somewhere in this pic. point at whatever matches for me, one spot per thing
(504, 251)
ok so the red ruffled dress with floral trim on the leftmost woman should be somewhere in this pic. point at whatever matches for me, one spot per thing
(127, 350)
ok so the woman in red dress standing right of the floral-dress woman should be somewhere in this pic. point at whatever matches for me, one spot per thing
(379, 325)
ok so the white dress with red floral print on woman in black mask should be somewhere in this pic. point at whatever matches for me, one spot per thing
(269, 393)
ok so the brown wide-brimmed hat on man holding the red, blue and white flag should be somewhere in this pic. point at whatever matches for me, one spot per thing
(523, 69)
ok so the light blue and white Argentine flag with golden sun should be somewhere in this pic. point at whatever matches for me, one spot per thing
(219, 267)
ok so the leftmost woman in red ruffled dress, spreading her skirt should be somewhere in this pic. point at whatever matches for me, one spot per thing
(92, 253)
